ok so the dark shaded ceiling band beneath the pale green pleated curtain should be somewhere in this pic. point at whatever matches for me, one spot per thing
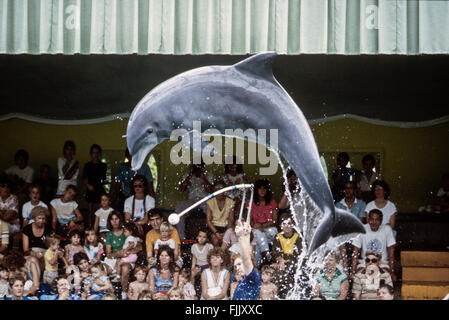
(390, 88)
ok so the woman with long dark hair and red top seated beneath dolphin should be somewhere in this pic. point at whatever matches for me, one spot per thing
(264, 212)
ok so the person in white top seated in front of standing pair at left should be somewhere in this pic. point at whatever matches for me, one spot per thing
(65, 213)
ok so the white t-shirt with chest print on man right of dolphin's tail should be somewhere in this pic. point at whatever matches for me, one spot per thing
(375, 241)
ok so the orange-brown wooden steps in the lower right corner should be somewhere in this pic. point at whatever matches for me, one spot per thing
(425, 275)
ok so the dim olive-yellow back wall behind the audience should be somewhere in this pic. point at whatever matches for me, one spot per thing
(411, 160)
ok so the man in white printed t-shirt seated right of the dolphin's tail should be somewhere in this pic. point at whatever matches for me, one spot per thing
(378, 238)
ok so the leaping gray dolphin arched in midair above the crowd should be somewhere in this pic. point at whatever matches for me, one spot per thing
(245, 96)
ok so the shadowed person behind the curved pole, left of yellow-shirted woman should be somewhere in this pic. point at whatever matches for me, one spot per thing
(198, 183)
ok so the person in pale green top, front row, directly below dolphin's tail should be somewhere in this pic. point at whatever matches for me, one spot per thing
(331, 283)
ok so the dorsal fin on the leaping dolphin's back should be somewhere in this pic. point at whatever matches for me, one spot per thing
(259, 65)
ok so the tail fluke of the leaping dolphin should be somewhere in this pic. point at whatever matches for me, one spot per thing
(344, 223)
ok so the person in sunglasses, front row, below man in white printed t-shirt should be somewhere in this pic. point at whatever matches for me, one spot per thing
(367, 280)
